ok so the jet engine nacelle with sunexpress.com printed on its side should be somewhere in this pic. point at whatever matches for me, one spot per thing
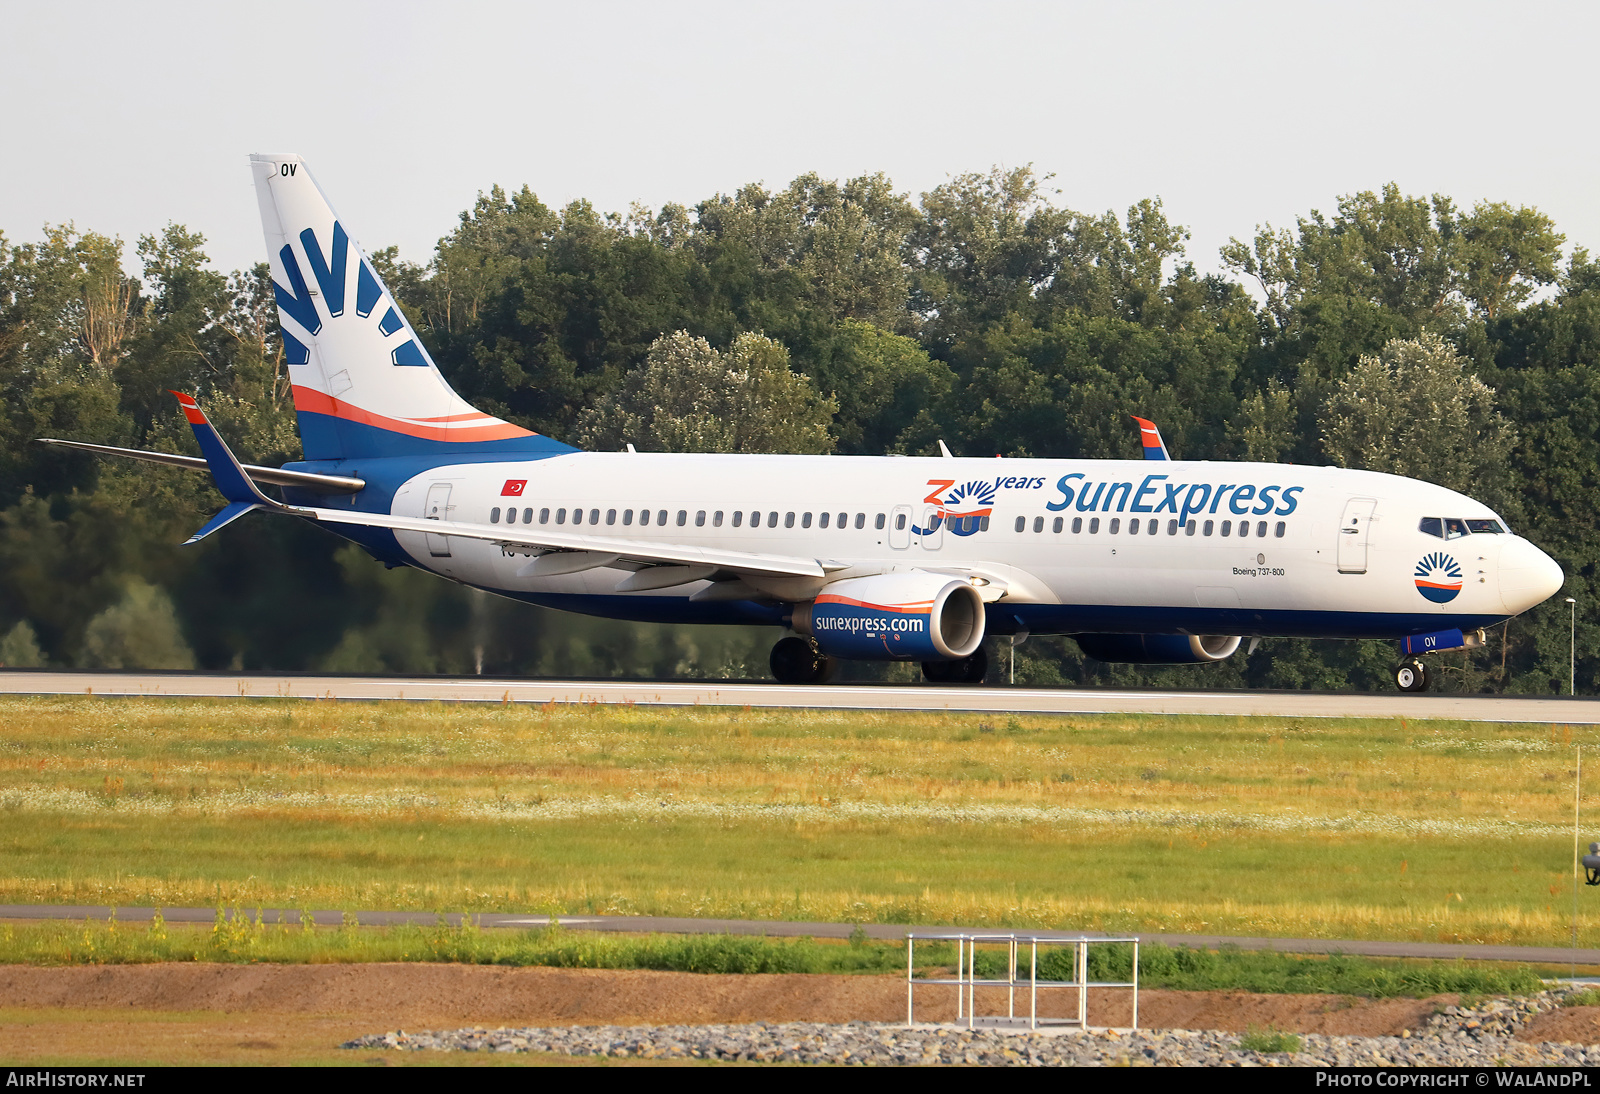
(913, 617)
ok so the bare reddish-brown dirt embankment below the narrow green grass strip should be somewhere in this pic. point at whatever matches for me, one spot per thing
(372, 999)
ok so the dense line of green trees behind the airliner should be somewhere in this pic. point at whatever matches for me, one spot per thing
(1396, 333)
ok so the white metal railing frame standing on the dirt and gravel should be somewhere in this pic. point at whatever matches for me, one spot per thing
(967, 981)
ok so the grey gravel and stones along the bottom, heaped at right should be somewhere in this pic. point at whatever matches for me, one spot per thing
(1460, 1036)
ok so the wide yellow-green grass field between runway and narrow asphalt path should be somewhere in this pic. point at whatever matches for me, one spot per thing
(1238, 826)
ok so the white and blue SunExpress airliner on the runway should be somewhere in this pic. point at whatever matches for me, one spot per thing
(874, 559)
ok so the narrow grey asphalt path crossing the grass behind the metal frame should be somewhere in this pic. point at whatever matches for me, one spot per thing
(786, 930)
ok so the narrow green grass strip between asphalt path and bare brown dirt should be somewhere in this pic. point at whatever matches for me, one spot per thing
(244, 941)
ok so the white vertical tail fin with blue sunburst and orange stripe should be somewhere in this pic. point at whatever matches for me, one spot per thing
(364, 383)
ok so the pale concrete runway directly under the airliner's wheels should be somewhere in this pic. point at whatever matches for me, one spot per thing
(994, 700)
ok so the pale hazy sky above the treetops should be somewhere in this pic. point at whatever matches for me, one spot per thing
(127, 116)
